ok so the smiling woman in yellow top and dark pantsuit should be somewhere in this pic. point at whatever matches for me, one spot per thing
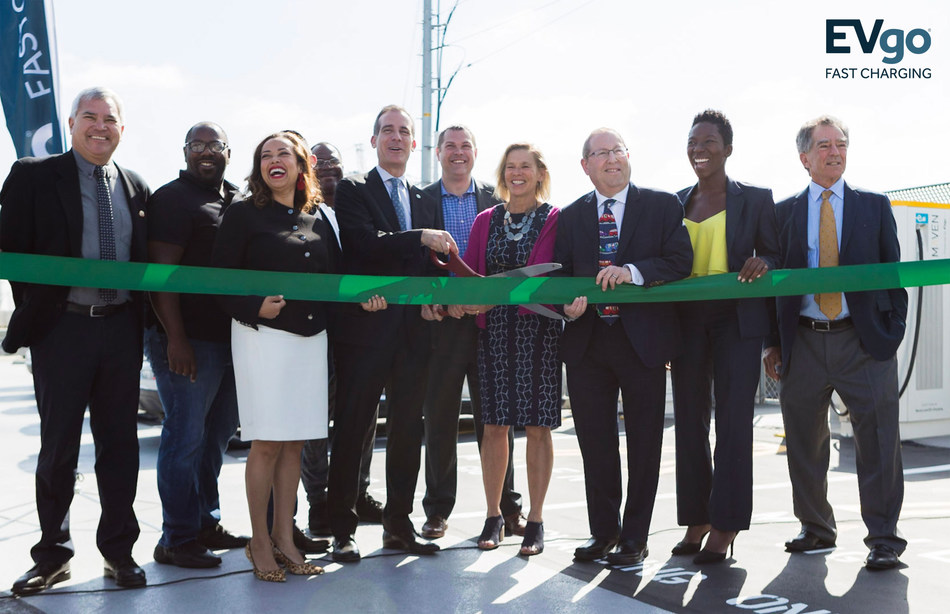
(732, 228)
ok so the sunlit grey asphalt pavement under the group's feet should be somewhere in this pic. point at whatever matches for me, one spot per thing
(761, 577)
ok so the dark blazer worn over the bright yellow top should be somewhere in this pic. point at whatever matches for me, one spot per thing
(751, 229)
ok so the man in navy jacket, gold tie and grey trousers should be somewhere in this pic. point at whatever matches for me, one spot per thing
(839, 342)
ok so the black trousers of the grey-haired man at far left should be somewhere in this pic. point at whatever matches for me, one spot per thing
(95, 362)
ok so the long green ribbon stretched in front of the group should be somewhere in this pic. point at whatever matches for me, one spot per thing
(60, 271)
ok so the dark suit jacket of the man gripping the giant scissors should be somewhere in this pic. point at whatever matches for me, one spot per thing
(373, 244)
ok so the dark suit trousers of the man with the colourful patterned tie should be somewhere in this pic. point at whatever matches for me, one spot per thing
(610, 366)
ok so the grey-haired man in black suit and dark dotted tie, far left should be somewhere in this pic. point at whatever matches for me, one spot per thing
(86, 343)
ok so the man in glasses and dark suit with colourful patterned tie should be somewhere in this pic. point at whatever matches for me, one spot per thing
(620, 233)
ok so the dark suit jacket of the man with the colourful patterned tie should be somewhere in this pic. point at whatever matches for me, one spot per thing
(653, 239)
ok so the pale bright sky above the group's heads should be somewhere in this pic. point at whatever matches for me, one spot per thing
(541, 70)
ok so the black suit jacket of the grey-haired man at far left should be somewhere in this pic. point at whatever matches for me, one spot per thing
(41, 213)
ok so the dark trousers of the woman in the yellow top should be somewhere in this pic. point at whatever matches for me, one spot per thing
(716, 359)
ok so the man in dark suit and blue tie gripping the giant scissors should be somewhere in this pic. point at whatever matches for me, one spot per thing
(387, 227)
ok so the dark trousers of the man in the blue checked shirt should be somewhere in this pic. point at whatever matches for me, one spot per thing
(454, 352)
